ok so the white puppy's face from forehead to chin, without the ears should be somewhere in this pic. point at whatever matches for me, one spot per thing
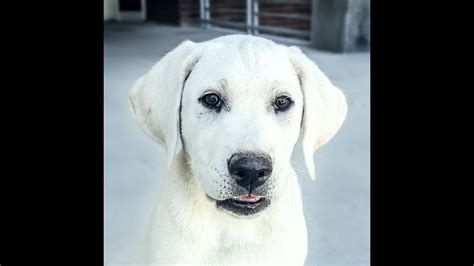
(241, 115)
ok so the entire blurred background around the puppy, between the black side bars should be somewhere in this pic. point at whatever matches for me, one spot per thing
(335, 34)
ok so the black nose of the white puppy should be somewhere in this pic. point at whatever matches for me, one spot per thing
(250, 170)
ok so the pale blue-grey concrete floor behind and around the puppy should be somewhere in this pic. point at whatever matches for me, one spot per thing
(337, 205)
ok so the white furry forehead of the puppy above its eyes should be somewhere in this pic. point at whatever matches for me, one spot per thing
(244, 62)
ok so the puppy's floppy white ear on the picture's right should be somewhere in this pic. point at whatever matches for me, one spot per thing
(324, 110)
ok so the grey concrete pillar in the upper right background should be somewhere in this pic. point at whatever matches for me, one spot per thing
(341, 25)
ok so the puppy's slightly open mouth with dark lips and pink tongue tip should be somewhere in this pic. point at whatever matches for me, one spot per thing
(245, 205)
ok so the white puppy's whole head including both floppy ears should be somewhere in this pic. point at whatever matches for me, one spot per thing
(235, 105)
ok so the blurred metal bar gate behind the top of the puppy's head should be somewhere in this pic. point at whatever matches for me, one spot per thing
(248, 16)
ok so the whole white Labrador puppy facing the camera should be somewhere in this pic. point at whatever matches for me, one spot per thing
(229, 112)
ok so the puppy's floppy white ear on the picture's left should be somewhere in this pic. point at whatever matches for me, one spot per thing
(156, 97)
